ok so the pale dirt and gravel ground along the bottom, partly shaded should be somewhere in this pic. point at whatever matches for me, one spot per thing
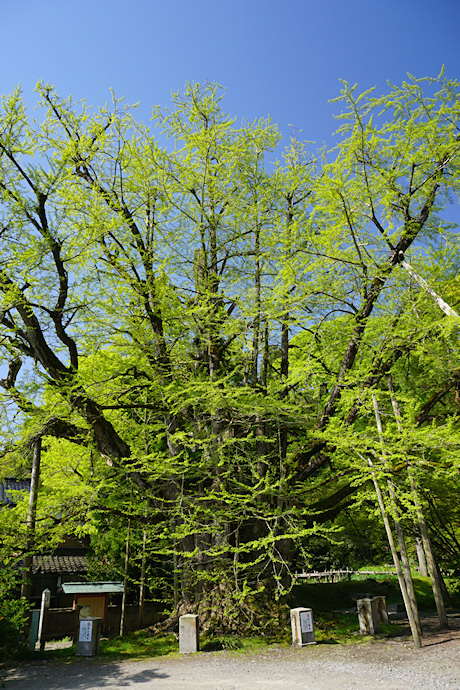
(389, 664)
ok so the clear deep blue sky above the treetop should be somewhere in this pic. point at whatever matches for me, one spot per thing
(275, 57)
